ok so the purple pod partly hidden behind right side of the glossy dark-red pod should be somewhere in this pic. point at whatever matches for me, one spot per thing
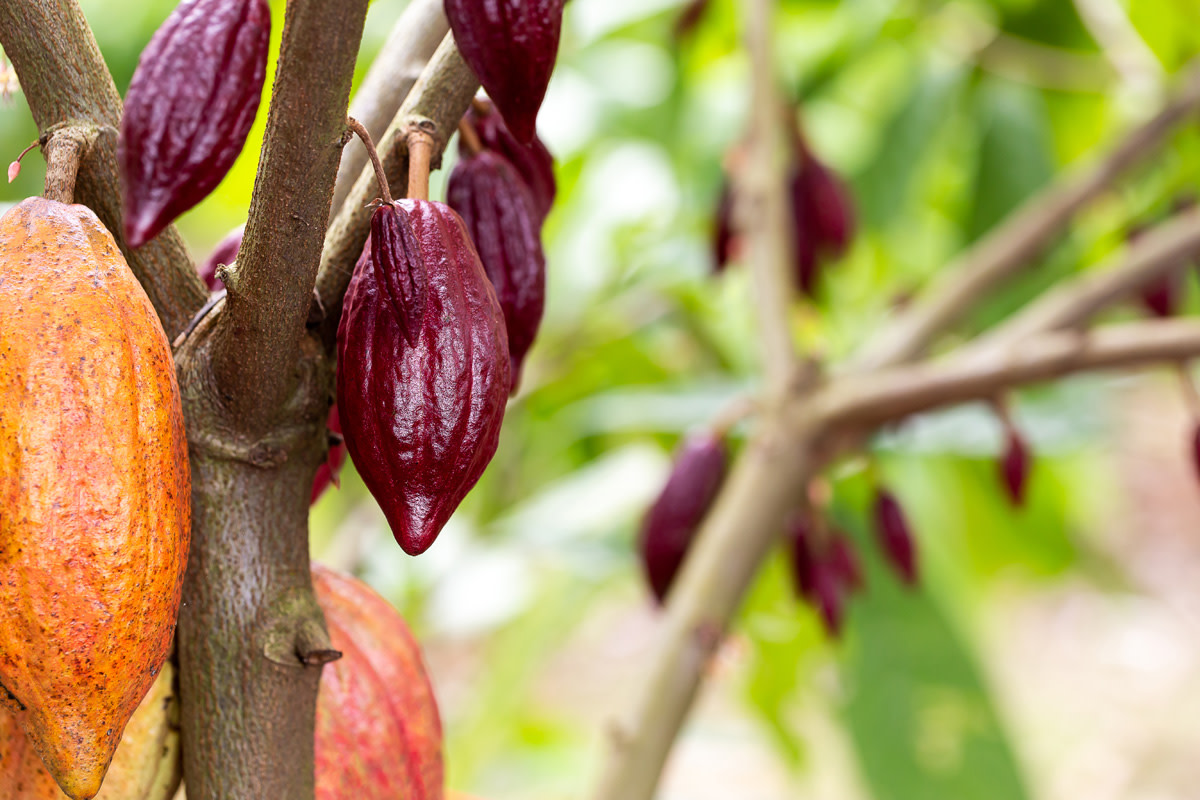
(497, 209)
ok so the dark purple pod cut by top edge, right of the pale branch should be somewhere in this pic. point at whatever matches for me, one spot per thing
(512, 47)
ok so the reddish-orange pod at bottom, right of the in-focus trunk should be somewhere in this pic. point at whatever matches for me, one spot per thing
(379, 732)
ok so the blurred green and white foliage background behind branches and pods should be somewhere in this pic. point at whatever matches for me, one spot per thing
(1049, 652)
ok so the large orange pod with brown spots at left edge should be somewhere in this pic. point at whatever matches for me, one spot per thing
(95, 492)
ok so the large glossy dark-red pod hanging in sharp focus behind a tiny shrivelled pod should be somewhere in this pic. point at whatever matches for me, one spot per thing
(422, 420)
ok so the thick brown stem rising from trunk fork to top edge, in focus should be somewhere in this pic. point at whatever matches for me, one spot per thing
(271, 293)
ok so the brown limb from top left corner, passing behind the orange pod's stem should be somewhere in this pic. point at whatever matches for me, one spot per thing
(65, 80)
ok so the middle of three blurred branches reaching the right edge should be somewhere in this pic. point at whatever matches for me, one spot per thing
(1166, 249)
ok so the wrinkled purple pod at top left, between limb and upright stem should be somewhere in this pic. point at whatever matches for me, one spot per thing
(189, 110)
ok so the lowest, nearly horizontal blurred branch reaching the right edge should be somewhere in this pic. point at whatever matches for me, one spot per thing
(872, 400)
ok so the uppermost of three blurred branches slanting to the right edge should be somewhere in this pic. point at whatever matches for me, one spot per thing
(1012, 246)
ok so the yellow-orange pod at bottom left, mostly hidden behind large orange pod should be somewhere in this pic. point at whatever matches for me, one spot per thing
(147, 765)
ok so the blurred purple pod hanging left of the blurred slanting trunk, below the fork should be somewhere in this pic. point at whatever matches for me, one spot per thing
(673, 522)
